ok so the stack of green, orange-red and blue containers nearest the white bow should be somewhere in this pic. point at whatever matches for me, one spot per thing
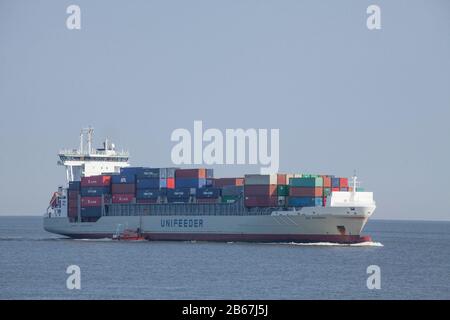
(306, 191)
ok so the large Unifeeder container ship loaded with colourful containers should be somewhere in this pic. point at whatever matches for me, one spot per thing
(105, 197)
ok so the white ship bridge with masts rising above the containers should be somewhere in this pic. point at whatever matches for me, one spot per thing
(87, 161)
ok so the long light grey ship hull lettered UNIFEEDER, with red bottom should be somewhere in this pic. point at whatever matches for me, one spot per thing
(338, 225)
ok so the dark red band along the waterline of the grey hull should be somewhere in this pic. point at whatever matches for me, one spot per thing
(237, 237)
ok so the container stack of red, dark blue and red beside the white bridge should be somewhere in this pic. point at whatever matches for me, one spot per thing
(93, 191)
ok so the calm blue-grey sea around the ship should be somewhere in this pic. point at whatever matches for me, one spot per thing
(406, 260)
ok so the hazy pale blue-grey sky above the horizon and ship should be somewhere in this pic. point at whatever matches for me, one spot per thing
(343, 97)
